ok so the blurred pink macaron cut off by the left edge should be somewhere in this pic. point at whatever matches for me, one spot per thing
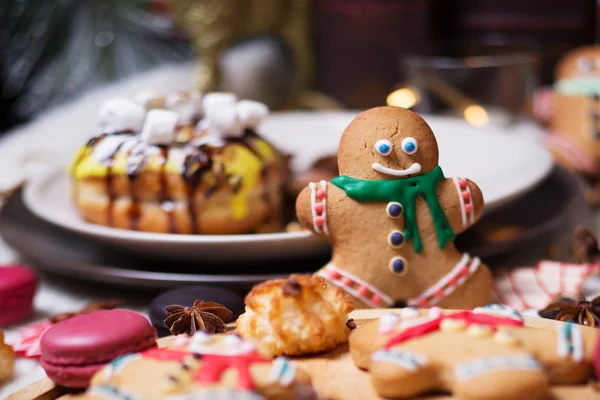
(17, 288)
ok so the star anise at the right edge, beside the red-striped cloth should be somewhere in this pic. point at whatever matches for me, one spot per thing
(580, 311)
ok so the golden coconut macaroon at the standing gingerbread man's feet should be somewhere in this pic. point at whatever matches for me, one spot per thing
(296, 316)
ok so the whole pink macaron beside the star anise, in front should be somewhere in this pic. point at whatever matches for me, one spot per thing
(75, 349)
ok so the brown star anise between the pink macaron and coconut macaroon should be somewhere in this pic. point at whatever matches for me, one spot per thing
(204, 316)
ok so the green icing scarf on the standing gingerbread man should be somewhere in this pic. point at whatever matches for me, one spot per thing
(404, 191)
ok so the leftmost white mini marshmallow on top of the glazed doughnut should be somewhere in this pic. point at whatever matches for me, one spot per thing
(120, 114)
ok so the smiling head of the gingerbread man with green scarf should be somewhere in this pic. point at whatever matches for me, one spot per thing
(387, 143)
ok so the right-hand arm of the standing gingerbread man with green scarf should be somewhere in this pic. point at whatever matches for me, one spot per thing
(462, 201)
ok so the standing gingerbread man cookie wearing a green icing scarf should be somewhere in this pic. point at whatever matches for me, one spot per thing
(392, 216)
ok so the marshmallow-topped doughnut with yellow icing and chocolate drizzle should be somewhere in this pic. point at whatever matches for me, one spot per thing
(181, 163)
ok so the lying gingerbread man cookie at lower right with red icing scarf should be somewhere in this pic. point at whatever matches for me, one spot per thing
(484, 353)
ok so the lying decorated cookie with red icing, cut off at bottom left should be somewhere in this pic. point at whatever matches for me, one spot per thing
(199, 367)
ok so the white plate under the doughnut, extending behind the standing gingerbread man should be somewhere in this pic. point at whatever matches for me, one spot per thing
(504, 166)
